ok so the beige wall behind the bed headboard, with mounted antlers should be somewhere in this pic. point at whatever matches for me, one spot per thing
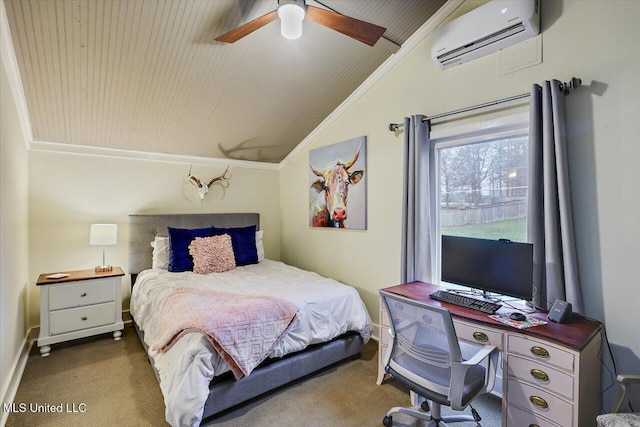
(69, 192)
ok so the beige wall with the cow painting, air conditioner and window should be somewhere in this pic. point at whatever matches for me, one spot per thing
(595, 40)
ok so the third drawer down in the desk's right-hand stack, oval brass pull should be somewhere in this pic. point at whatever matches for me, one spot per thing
(540, 402)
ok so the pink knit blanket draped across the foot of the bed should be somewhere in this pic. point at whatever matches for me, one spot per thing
(243, 329)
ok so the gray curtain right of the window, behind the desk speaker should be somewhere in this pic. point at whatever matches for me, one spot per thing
(549, 220)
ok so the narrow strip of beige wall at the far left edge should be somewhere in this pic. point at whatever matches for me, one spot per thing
(13, 232)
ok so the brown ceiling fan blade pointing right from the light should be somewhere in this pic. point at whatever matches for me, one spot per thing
(354, 28)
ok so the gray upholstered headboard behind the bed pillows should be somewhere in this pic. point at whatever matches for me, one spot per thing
(144, 228)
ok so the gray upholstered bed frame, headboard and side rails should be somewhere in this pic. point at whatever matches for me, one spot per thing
(226, 392)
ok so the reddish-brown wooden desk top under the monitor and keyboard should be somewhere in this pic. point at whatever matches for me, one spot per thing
(576, 333)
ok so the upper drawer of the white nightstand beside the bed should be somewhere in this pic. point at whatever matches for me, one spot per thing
(84, 292)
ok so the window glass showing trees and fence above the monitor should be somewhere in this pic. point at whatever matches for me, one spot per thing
(483, 189)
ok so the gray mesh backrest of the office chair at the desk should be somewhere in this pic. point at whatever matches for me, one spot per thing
(425, 343)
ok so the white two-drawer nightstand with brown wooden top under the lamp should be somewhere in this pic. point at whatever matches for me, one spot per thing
(80, 304)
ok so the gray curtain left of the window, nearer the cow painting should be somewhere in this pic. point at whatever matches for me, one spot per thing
(417, 213)
